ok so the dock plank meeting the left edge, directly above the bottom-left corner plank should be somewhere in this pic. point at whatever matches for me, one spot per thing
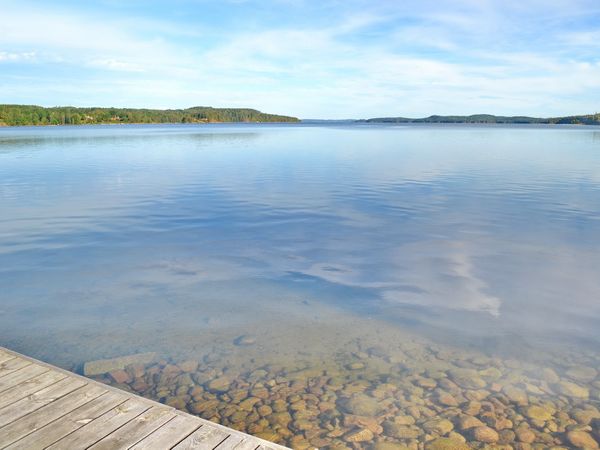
(37, 400)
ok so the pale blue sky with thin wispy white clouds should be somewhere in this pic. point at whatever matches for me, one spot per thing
(330, 59)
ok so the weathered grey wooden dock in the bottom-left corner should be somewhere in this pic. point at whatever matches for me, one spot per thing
(45, 407)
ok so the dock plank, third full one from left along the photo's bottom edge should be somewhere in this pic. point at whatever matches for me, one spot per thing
(135, 430)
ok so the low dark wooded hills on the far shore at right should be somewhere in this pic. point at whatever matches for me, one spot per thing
(590, 119)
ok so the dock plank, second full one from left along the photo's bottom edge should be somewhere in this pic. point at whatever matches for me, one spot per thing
(101, 427)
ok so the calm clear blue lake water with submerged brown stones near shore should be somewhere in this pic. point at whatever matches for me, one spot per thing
(347, 286)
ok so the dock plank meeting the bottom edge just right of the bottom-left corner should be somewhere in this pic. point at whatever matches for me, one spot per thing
(48, 435)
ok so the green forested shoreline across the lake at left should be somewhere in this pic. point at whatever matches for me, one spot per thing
(20, 115)
